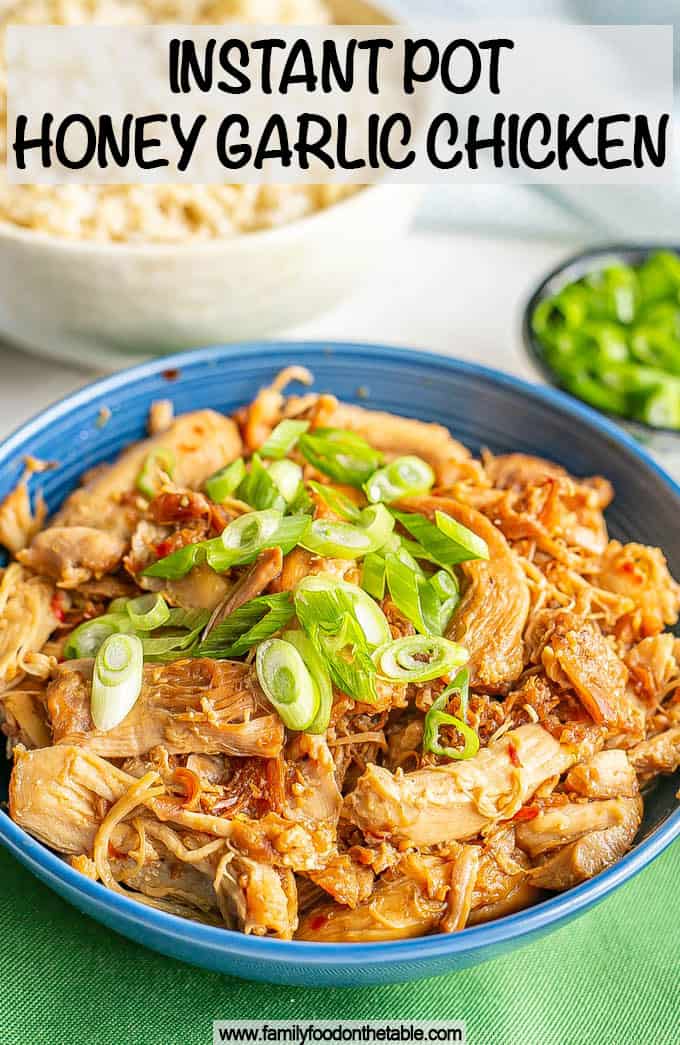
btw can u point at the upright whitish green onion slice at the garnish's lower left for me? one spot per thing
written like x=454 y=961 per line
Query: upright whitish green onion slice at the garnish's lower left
x=116 y=681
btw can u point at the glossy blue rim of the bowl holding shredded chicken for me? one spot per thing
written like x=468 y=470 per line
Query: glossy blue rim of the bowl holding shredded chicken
x=533 y=920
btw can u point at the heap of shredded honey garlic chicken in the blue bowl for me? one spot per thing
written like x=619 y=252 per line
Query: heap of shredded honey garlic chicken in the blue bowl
x=379 y=825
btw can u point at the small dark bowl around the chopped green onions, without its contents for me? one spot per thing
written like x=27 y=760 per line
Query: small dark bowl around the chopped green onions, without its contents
x=664 y=442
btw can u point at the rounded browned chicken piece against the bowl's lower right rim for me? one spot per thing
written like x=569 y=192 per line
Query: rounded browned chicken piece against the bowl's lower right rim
x=591 y=854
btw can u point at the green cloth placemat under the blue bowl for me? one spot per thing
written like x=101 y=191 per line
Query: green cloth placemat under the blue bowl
x=609 y=979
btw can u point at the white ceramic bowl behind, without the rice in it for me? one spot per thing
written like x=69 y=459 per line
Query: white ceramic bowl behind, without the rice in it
x=108 y=305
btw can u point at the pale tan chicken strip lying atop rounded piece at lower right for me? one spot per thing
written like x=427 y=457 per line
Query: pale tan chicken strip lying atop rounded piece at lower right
x=556 y=827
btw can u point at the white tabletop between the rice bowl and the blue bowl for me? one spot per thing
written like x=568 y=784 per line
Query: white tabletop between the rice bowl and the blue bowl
x=458 y=294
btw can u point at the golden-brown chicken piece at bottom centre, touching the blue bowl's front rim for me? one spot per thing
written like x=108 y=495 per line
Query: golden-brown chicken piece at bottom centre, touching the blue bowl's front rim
x=396 y=911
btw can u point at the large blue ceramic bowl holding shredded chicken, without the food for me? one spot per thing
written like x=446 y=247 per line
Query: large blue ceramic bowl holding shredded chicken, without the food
x=482 y=408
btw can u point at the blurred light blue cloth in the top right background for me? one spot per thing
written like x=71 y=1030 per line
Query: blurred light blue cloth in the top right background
x=561 y=212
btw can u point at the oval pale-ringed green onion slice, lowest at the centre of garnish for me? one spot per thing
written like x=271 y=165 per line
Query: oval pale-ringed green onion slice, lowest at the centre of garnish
x=288 y=684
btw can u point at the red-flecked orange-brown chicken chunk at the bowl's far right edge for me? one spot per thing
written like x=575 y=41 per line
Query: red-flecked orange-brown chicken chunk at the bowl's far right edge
x=642 y=574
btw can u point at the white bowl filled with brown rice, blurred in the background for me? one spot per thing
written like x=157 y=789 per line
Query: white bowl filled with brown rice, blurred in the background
x=103 y=275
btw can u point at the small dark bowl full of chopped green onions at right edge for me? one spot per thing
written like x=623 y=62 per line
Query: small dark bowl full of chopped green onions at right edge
x=605 y=327
